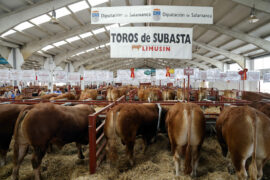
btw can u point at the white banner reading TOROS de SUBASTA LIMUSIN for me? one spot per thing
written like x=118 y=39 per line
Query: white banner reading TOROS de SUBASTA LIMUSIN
x=151 y=42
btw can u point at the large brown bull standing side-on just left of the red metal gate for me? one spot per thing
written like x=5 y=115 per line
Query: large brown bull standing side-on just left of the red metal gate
x=46 y=123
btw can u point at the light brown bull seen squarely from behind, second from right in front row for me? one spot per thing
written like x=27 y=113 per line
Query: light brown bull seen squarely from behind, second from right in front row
x=186 y=124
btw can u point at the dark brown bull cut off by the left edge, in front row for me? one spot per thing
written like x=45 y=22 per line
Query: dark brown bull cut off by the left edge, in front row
x=8 y=116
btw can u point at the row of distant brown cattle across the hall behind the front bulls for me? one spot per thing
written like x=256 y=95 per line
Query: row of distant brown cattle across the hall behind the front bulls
x=144 y=93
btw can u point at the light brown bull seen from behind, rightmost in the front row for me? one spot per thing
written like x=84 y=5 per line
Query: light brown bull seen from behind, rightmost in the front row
x=245 y=132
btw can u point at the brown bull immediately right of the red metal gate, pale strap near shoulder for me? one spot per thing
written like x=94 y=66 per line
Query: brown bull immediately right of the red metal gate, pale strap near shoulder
x=128 y=120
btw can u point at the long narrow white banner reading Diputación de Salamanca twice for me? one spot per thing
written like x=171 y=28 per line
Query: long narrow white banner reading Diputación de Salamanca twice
x=154 y=14
